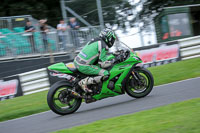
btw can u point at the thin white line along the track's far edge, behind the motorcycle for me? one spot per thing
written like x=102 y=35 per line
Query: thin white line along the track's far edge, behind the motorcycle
x=49 y=110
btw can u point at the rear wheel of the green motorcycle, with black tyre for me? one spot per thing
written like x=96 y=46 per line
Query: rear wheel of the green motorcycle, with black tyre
x=60 y=101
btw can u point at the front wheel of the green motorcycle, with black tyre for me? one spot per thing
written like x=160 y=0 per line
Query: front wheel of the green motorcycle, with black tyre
x=139 y=83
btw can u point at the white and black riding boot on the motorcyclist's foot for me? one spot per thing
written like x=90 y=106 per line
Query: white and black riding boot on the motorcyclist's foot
x=88 y=81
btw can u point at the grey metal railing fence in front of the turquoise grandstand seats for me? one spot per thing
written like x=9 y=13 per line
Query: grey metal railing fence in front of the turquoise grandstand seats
x=17 y=42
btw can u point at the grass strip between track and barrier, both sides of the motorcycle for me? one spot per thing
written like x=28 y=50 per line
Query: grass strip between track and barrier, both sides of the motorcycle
x=36 y=103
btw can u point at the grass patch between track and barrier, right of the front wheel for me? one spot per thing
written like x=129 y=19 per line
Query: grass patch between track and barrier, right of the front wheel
x=176 y=71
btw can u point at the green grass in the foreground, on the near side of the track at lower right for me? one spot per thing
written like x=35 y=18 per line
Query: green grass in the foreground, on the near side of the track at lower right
x=183 y=117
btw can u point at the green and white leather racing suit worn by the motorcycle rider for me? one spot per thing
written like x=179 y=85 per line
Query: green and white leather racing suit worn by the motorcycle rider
x=92 y=58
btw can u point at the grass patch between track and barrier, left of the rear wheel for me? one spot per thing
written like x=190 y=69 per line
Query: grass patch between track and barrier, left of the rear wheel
x=23 y=106
